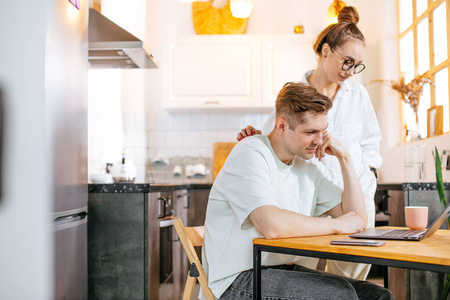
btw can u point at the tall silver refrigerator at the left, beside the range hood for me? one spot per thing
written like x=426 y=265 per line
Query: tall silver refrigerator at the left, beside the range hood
x=66 y=74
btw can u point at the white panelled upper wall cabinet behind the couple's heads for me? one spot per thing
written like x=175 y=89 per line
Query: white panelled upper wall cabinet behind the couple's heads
x=234 y=72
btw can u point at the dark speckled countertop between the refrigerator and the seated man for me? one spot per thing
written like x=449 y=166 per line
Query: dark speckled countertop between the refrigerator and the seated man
x=142 y=187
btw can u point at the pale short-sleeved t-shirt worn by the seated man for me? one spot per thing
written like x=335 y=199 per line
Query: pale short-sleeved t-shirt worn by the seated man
x=251 y=177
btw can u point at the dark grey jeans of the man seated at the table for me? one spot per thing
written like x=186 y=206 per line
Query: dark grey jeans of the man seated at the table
x=292 y=282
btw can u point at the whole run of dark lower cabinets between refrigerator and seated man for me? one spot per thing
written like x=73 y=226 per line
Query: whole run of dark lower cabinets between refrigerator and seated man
x=133 y=254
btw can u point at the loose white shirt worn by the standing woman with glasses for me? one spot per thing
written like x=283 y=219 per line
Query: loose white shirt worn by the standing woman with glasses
x=353 y=122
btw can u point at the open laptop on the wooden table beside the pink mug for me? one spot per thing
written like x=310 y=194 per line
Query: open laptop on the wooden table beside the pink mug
x=404 y=234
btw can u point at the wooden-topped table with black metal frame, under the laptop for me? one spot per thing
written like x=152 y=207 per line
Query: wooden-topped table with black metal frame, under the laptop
x=431 y=254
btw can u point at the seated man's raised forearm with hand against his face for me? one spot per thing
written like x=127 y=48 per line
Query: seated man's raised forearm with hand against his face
x=352 y=196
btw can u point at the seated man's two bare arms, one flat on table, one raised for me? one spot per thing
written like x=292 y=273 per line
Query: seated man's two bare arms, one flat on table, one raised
x=348 y=217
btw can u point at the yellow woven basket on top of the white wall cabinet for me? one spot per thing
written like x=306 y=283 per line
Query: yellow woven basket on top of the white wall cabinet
x=210 y=20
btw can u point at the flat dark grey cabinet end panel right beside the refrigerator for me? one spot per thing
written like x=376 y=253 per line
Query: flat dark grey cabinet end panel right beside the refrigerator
x=117 y=246
